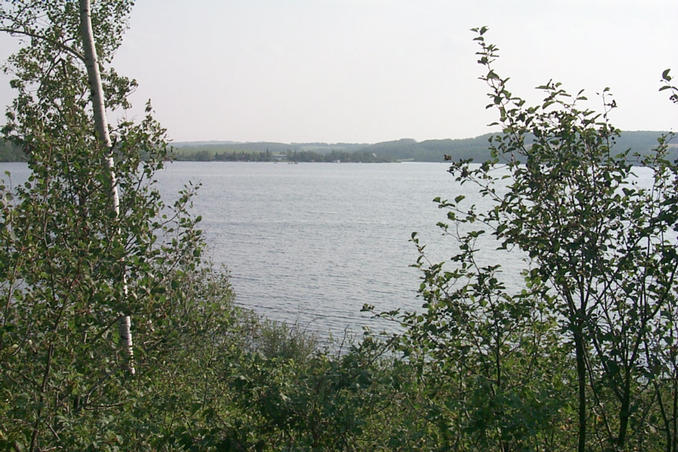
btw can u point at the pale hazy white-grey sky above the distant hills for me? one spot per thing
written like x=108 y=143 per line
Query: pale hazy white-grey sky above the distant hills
x=376 y=70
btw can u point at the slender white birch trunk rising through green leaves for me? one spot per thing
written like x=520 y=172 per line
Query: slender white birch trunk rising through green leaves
x=101 y=125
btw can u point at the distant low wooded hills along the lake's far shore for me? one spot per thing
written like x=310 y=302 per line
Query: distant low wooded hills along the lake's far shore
x=388 y=151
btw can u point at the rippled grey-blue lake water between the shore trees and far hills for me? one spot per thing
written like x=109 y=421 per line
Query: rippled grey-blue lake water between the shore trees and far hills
x=310 y=243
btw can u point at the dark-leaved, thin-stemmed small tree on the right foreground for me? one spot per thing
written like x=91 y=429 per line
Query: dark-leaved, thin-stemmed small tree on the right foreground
x=582 y=354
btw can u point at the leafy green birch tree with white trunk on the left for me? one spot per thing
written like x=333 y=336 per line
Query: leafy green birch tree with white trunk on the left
x=86 y=243
